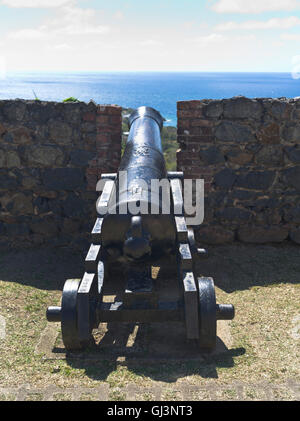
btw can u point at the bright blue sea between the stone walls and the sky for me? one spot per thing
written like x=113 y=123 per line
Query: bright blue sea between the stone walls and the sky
x=160 y=90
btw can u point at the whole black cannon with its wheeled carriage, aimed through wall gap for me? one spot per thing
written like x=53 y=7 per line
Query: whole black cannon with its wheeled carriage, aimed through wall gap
x=134 y=232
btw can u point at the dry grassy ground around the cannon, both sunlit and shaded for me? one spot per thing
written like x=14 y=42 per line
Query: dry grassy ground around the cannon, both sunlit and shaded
x=260 y=354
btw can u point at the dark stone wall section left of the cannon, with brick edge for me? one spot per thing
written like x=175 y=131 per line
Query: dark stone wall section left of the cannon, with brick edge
x=51 y=155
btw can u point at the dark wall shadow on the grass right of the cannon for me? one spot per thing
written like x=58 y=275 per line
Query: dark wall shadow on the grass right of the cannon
x=240 y=266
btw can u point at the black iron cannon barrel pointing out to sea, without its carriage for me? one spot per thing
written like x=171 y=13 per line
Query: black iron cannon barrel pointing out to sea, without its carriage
x=131 y=229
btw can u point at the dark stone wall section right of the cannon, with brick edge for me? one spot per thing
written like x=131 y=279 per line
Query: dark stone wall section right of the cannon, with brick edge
x=248 y=152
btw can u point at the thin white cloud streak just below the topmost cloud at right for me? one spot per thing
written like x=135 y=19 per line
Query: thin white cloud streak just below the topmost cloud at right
x=274 y=23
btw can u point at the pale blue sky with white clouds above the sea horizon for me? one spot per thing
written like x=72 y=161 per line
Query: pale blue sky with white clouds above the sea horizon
x=156 y=35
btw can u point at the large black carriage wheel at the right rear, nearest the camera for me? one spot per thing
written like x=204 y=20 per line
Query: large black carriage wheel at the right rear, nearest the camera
x=207 y=313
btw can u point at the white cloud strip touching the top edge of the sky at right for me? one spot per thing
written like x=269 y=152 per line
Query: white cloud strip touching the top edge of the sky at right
x=254 y=6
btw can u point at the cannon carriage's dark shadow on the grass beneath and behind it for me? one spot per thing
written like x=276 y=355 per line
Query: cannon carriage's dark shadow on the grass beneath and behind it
x=149 y=358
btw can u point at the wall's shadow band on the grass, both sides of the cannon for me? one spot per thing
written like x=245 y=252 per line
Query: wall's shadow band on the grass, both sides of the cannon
x=233 y=267
